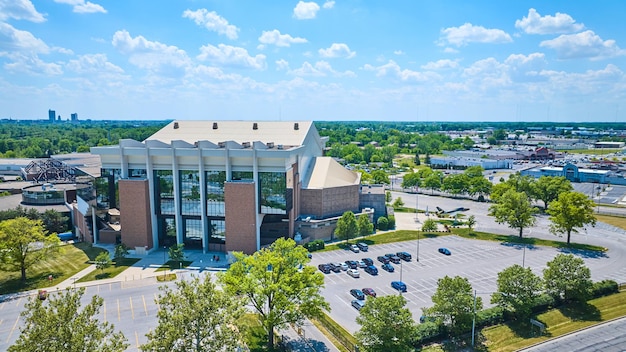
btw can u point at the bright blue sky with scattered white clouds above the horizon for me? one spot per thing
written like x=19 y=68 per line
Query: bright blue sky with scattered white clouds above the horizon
x=403 y=60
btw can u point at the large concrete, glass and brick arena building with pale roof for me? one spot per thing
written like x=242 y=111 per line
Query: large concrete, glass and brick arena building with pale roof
x=218 y=186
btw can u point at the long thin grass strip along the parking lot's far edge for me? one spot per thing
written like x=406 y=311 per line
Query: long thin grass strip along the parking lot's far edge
x=408 y=235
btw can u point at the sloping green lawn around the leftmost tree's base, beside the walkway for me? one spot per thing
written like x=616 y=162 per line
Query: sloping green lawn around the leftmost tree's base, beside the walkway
x=72 y=259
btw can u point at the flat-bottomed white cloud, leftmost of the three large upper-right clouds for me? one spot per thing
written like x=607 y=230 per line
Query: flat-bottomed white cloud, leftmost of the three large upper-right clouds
x=468 y=33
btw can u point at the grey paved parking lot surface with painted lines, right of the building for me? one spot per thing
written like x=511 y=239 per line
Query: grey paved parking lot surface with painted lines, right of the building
x=479 y=261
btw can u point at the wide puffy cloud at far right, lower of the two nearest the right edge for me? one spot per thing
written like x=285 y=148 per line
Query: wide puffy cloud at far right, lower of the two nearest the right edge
x=586 y=44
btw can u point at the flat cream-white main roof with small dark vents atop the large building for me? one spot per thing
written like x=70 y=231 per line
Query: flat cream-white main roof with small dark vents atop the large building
x=278 y=132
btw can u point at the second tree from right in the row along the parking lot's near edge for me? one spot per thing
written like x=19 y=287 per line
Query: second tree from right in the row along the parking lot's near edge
x=518 y=288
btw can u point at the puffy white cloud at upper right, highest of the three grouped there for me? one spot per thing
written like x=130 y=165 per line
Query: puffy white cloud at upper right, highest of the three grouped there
x=559 y=23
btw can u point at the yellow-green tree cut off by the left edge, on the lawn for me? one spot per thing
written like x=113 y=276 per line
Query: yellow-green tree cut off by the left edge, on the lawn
x=23 y=242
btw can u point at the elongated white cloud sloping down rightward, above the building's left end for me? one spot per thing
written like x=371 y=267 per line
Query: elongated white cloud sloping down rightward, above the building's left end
x=149 y=54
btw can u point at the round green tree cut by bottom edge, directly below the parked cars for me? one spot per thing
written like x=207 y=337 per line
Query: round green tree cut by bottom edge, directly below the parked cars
x=386 y=325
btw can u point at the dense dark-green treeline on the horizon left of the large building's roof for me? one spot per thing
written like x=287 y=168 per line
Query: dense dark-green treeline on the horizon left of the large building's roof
x=37 y=139
